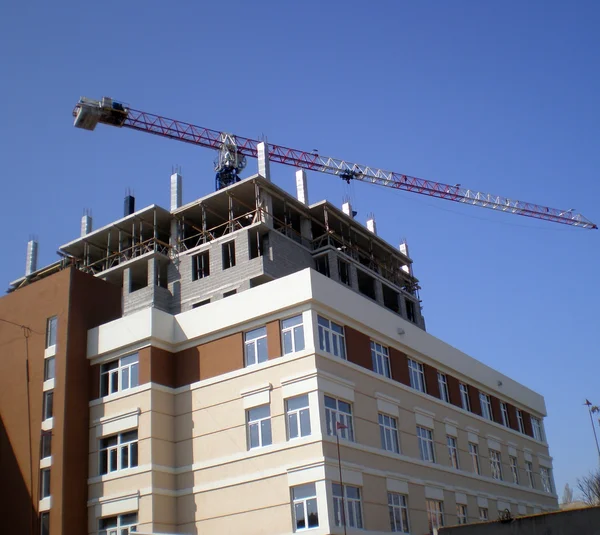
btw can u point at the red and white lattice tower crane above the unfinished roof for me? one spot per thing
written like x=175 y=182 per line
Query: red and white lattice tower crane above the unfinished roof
x=233 y=150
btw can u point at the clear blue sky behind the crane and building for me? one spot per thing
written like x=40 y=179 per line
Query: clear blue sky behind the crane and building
x=498 y=96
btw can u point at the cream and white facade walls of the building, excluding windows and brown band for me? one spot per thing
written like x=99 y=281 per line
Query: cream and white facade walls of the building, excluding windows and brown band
x=196 y=473
